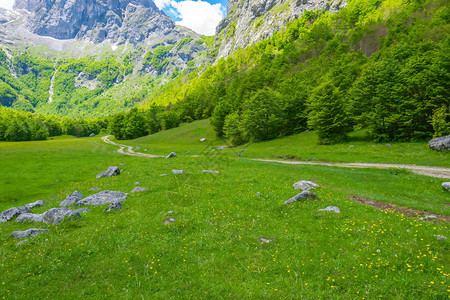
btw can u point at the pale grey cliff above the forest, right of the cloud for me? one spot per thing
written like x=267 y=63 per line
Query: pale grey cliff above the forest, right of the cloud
x=250 y=21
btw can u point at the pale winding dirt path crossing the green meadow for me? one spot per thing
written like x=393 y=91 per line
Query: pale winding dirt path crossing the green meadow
x=438 y=172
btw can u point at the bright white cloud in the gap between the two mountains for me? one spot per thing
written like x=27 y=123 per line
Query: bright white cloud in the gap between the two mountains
x=200 y=16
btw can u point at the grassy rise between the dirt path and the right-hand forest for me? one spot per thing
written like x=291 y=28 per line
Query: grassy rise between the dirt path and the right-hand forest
x=302 y=146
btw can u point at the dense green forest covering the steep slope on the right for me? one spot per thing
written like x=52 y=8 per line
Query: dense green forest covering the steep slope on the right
x=374 y=65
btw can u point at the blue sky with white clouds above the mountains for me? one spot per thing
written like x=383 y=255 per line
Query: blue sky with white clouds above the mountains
x=202 y=16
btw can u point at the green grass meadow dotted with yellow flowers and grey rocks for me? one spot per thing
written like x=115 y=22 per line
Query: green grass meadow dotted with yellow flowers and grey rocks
x=213 y=250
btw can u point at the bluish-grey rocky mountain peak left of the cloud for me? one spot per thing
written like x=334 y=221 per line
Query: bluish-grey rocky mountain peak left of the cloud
x=96 y=20
